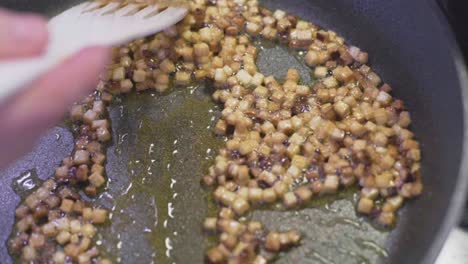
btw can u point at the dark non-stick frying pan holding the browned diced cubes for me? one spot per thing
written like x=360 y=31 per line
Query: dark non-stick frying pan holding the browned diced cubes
x=410 y=46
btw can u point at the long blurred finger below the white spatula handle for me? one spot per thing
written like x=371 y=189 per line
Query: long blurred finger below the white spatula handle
x=35 y=110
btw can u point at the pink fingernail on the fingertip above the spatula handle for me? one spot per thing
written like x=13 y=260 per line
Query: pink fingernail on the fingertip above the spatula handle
x=29 y=28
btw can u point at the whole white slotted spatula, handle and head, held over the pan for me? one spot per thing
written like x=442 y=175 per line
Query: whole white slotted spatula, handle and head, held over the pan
x=87 y=24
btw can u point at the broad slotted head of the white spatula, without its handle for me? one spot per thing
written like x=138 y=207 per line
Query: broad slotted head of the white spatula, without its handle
x=112 y=22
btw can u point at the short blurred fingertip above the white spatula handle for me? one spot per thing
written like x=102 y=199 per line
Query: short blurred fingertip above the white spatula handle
x=22 y=35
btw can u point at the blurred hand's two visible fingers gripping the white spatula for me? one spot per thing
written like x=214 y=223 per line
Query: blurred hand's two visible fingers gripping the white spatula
x=24 y=117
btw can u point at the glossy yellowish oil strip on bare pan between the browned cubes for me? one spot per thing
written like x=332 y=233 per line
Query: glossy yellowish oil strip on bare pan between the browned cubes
x=164 y=143
